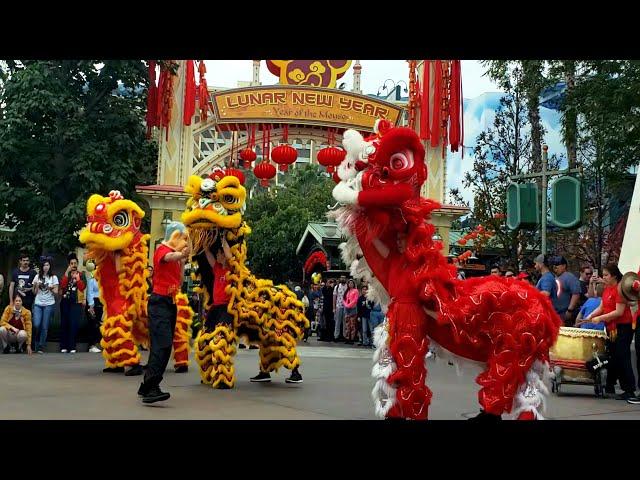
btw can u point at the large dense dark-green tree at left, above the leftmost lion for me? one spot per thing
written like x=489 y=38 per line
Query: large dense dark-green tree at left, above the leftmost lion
x=68 y=128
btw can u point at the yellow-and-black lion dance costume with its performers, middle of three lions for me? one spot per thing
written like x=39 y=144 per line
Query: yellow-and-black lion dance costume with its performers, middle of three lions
x=266 y=315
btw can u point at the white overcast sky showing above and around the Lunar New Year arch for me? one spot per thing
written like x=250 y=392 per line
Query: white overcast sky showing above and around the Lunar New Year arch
x=226 y=73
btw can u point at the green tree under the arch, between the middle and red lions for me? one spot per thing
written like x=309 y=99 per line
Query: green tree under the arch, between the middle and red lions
x=278 y=217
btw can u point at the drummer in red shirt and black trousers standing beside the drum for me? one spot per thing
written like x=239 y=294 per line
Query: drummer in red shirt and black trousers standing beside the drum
x=615 y=311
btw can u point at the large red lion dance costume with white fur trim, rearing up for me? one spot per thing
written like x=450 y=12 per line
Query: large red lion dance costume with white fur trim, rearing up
x=504 y=324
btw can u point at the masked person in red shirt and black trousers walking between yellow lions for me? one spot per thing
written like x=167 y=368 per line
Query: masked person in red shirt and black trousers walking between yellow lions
x=168 y=268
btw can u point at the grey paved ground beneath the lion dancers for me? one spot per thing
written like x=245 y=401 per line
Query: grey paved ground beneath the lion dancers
x=336 y=385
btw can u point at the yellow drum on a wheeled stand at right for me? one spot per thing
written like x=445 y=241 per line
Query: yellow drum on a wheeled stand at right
x=574 y=347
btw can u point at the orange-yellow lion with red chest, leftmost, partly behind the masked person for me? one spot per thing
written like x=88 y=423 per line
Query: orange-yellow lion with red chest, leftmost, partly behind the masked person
x=120 y=252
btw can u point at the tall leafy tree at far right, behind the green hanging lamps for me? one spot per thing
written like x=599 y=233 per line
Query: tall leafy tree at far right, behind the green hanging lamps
x=600 y=128
